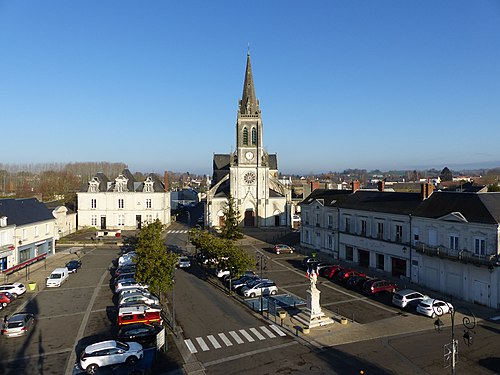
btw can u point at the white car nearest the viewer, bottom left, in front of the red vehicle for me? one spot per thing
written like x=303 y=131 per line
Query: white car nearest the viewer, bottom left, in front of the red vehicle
x=109 y=353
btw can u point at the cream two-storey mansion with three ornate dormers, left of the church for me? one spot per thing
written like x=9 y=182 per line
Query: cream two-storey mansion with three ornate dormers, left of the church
x=123 y=203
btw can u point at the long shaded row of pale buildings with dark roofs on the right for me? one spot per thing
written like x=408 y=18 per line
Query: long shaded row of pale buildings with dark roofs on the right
x=445 y=240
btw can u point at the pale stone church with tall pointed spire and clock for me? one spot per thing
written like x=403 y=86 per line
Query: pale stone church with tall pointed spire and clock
x=249 y=174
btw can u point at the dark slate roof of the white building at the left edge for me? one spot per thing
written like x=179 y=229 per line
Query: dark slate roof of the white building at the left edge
x=24 y=211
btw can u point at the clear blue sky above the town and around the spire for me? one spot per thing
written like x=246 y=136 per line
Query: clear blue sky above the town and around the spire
x=342 y=84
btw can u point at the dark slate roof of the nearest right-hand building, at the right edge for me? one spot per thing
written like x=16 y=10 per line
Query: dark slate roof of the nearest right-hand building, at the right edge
x=475 y=207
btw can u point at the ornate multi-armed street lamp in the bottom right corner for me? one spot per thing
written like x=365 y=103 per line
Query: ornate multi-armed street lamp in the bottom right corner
x=469 y=323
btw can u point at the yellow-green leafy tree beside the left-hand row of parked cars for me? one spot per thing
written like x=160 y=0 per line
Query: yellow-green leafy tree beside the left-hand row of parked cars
x=155 y=266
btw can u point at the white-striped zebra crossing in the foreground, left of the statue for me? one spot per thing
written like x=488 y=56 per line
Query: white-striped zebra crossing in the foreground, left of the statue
x=241 y=337
